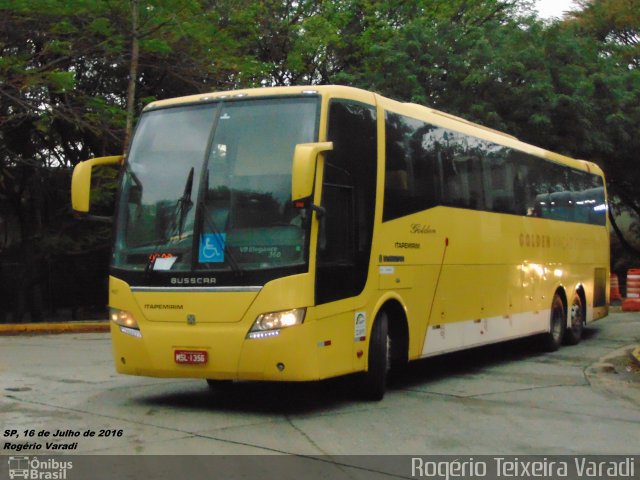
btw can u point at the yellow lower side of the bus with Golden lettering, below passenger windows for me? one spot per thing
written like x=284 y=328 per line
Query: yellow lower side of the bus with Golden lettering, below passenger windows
x=498 y=276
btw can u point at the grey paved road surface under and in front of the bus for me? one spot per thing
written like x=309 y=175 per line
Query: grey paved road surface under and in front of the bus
x=507 y=399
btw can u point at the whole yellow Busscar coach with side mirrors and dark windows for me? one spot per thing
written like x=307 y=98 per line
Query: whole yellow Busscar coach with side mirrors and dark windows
x=303 y=233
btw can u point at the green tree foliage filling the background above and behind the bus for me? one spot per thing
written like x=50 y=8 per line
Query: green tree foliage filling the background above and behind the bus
x=572 y=85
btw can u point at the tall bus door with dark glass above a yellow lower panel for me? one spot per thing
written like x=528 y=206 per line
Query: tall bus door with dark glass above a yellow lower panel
x=345 y=232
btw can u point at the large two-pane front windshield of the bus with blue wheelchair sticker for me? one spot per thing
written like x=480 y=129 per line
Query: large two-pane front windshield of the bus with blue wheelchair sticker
x=208 y=187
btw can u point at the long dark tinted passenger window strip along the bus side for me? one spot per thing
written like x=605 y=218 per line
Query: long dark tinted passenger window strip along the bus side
x=428 y=166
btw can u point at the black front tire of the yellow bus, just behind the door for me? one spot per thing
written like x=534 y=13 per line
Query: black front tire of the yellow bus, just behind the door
x=374 y=380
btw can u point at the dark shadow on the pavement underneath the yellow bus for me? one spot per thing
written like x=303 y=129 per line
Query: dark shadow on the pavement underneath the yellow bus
x=315 y=397
